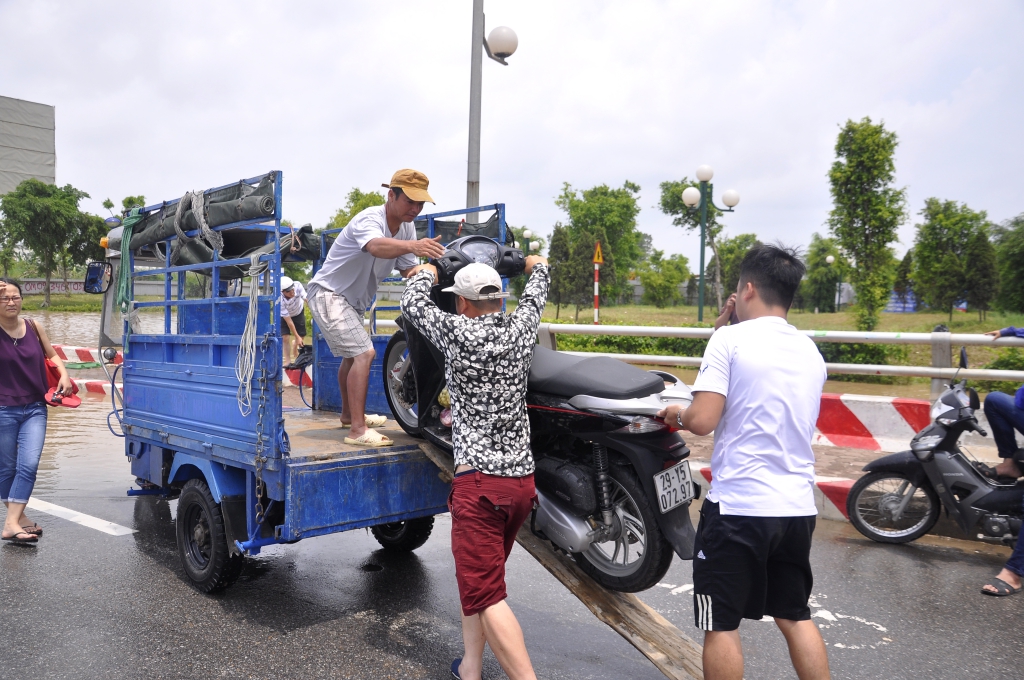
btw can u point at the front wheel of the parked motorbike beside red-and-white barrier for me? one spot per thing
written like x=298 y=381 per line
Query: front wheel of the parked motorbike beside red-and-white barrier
x=887 y=508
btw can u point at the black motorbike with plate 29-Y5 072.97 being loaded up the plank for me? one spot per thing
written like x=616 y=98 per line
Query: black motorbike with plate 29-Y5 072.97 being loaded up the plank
x=614 y=485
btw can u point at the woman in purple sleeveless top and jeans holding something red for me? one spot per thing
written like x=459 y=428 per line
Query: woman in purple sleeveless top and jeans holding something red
x=23 y=410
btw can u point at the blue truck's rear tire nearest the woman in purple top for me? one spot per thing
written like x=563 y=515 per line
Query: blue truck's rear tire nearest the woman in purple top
x=202 y=541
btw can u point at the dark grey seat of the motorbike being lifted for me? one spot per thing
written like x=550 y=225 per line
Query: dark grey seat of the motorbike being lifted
x=568 y=375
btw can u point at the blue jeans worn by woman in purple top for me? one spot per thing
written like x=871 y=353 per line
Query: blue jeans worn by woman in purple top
x=23 y=431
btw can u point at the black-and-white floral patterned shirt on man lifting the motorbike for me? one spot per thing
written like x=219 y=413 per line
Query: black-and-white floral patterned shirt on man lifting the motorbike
x=487 y=364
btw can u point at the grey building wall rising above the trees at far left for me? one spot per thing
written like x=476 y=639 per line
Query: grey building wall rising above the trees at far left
x=28 y=145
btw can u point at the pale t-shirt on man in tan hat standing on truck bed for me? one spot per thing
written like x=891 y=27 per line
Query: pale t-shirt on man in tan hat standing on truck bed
x=353 y=273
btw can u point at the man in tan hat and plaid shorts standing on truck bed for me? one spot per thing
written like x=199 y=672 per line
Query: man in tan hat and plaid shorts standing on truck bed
x=375 y=242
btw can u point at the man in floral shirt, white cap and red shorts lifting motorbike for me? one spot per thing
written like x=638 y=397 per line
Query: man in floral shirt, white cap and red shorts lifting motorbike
x=488 y=357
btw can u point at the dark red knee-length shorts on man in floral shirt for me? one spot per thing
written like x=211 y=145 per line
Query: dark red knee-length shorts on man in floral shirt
x=487 y=514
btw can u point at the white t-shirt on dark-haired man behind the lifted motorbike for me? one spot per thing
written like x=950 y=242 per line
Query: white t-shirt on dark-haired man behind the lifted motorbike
x=772 y=376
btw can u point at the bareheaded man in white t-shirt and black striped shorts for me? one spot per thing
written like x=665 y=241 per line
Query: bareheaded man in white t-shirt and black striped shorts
x=759 y=390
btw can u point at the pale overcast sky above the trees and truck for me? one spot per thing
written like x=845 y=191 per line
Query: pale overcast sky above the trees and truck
x=158 y=99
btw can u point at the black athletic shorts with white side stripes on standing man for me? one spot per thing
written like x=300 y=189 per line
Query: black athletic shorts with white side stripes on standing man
x=746 y=568
